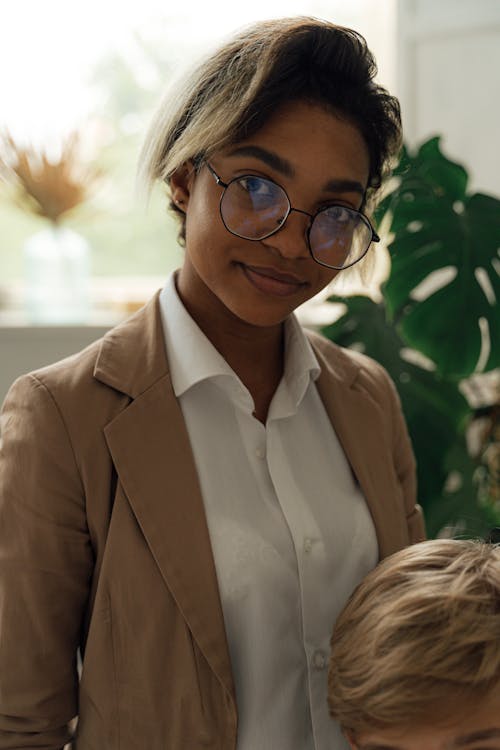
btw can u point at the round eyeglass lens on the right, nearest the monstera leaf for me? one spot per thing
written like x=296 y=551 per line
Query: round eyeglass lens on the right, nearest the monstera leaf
x=339 y=236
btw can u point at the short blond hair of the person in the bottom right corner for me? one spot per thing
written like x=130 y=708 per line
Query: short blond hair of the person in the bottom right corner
x=419 y=639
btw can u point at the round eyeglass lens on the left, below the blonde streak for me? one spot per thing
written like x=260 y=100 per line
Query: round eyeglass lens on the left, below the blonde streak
x=253 y=207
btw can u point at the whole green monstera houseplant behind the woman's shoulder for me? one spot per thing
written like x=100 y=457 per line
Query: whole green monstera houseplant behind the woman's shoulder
x=437 y=327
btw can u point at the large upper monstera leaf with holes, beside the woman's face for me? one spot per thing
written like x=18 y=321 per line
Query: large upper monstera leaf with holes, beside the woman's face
x=444 y=236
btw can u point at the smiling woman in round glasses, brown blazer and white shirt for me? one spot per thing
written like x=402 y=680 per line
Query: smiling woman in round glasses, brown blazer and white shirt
x=190 y=501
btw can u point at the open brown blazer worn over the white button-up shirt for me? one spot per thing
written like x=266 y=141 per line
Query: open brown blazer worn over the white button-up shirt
x=104 y=544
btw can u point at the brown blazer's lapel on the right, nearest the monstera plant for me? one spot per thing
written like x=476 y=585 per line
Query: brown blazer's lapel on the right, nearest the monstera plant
x=358 y=421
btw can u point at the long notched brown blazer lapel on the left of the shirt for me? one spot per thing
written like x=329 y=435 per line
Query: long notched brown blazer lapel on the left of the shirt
x=151 y=451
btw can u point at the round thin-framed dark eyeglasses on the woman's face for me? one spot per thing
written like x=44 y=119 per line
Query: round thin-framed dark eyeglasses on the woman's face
x=254 y=208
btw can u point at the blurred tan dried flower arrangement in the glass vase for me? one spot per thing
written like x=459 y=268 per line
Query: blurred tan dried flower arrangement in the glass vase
x=47 y=186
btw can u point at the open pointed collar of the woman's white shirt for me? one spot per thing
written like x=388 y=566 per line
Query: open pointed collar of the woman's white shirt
x=193 y=358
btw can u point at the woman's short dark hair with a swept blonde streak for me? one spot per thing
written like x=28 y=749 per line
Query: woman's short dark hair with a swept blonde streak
x=233 y=93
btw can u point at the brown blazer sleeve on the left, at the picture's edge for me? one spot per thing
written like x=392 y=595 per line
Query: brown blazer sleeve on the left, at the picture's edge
x=45 y=570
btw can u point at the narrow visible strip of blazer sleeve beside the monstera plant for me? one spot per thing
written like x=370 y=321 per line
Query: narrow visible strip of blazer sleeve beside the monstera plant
x=404 y=463
